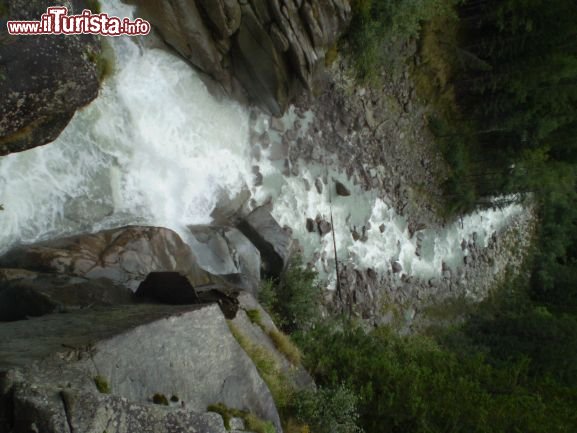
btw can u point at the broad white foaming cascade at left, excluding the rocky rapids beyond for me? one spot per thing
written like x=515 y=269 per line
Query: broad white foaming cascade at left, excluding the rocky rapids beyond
x=154 y=148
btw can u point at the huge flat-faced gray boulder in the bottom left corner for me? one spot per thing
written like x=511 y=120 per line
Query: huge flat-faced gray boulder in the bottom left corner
x=48 y=366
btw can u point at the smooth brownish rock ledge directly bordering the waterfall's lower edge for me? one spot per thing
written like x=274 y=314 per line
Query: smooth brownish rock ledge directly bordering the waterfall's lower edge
x=125 y=256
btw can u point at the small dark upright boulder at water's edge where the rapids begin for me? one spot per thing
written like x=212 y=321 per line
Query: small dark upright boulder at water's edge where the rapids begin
x=272 y=241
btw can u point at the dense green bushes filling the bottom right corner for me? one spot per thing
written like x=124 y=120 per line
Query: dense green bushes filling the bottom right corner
x=414 y=385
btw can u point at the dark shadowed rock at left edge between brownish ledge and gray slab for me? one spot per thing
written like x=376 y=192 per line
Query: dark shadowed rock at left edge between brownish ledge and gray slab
x=36 y=294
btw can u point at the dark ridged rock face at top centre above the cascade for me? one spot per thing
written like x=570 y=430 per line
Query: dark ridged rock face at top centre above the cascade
x=269 y=47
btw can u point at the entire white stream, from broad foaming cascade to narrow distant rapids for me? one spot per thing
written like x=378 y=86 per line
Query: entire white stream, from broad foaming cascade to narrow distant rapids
x=156 y=148
